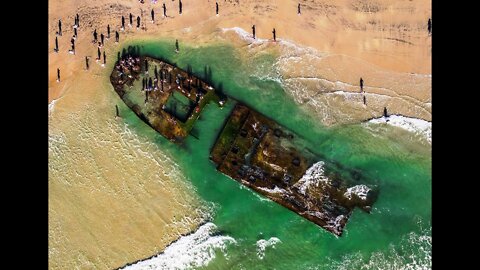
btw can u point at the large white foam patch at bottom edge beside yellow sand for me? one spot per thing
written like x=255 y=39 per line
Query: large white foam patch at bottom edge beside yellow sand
x=191 y=251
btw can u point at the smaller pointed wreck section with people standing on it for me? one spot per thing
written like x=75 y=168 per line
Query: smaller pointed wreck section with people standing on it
x=165 y=97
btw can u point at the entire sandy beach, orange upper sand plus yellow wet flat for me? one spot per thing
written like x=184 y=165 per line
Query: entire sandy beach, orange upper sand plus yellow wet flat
x=96 y=186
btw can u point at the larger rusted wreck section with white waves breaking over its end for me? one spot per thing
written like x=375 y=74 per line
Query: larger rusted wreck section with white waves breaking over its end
x=265 y=157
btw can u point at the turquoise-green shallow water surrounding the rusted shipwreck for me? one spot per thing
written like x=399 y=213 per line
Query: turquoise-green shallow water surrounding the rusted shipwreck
x=396 y=235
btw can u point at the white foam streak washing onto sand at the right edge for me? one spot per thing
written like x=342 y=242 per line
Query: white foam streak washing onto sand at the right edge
x=418 y=126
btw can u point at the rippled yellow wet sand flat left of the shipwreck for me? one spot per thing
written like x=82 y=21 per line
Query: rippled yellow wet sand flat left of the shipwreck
x=114 y=196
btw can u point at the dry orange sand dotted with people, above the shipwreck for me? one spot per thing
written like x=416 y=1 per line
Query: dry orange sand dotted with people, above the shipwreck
x=361 y=37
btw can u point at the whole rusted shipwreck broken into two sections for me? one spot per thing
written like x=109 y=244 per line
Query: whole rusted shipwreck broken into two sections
x=251 y=148
